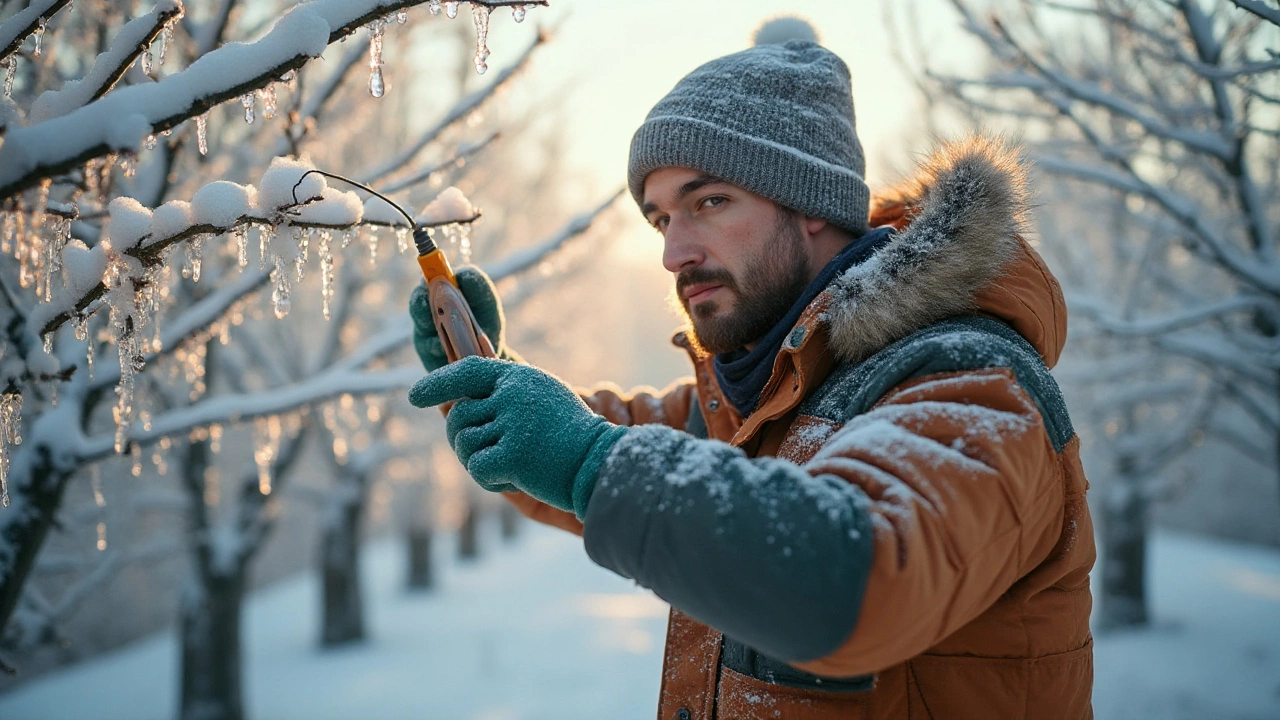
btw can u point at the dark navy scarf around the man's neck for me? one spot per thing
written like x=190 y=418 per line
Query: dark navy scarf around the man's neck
x=742 y=373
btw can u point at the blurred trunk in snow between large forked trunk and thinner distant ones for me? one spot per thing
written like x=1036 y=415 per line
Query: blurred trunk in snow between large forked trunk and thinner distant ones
x=344 y=617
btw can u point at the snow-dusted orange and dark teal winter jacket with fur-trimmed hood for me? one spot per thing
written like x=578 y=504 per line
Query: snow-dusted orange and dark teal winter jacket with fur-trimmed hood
x=920 y=382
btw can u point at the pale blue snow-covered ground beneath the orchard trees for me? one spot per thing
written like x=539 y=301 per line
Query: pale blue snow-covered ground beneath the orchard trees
x=537 y=632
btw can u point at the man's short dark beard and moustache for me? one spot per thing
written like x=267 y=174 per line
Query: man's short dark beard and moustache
x=771 y=284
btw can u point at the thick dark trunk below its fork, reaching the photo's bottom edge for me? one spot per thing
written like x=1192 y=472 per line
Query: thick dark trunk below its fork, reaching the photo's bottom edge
x=212 y=648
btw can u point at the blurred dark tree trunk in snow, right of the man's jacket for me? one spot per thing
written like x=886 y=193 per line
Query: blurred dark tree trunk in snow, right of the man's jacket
x=1124 y=555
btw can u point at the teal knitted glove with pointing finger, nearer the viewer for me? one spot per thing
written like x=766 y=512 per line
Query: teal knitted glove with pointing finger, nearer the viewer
x=518 y=426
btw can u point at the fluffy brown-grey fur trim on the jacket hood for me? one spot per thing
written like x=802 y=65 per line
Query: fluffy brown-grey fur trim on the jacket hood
x=963 y=211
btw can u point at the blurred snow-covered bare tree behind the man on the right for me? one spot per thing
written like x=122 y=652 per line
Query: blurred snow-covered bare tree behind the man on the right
x=1158 y=121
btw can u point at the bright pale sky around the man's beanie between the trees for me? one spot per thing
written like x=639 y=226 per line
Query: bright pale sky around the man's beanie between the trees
x=618 y=58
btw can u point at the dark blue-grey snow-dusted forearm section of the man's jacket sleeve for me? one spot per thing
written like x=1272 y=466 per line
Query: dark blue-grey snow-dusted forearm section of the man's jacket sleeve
x=758 y=549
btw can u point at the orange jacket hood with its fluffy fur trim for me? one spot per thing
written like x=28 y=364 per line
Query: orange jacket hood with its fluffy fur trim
x=961 y=249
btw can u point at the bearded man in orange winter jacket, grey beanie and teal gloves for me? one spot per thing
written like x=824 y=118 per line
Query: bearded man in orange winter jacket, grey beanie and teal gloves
x=870 y=500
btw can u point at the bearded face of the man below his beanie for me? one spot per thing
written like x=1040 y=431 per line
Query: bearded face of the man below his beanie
x=740 y=261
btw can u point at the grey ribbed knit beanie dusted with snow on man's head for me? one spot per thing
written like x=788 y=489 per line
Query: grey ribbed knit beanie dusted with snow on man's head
x=775 y=120
